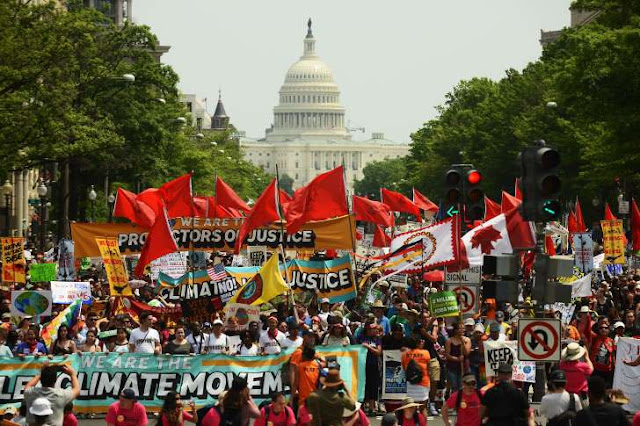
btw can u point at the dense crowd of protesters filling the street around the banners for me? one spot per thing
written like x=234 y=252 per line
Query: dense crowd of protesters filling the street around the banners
x=444 y=358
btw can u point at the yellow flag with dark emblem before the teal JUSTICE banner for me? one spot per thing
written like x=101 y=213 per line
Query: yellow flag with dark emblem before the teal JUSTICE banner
x=264 y=286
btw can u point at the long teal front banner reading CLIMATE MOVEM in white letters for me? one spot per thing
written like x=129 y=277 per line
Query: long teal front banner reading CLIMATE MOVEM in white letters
x=202 y=378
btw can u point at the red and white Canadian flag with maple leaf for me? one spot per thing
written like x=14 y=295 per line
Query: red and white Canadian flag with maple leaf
x=499 y=235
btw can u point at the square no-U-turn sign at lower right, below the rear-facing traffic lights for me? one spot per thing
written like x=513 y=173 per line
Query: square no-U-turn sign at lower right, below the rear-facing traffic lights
x=539 y=339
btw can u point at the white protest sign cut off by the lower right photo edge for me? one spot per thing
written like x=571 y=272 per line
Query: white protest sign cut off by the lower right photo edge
x=626 y=377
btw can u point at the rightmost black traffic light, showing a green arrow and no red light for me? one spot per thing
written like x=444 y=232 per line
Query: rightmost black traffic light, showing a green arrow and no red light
x=540 y=183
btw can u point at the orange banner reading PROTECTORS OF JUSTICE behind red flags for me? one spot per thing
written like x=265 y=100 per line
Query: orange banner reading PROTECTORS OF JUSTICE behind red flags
x=215 y=234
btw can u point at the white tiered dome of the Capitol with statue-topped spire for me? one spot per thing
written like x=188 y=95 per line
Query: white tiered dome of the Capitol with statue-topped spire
x=309 y=101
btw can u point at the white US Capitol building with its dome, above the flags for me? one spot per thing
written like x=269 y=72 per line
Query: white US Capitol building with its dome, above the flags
x=308 y=135
